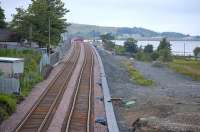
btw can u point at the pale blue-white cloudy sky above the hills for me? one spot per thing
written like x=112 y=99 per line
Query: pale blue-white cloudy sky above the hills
x=158 y=15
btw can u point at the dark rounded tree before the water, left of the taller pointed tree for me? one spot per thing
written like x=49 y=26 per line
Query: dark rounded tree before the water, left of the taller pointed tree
x=130 y=45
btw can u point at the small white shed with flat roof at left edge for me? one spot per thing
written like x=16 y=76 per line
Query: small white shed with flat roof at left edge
x=11 y=66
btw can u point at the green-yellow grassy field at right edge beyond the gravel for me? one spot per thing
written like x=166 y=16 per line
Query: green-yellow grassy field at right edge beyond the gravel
x=187 y=67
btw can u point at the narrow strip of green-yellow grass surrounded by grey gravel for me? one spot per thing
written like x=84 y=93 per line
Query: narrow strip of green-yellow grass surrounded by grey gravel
x=136 y=76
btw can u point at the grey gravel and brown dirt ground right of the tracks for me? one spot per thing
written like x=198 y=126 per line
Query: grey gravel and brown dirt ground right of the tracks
x=172 y=104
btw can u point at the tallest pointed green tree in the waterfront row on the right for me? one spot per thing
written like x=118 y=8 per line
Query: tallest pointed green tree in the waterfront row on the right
x=164 y=50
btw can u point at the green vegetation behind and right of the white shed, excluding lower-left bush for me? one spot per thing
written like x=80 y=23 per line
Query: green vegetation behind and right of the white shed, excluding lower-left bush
x=31 y=74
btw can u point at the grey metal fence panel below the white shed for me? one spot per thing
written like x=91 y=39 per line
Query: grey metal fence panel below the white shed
x=9 y=85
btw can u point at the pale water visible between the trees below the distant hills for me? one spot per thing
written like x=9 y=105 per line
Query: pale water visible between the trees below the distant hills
x=178 y=47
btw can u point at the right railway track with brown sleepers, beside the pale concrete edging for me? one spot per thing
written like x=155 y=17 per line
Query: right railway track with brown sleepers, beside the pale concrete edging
x=80 y=115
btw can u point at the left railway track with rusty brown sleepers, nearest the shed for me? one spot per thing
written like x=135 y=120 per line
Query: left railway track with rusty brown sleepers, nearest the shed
x=41 y=114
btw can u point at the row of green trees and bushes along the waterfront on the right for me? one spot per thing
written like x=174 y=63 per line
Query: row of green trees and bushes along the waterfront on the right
x=147 y=53
